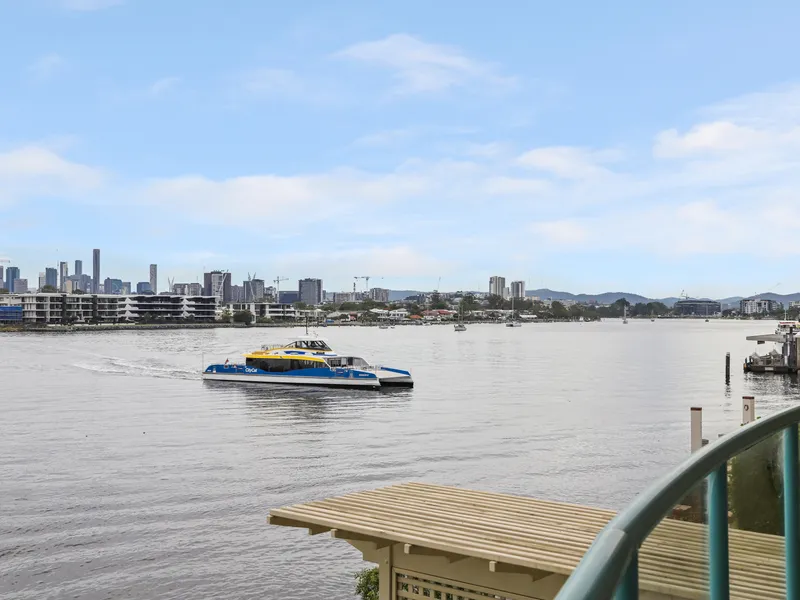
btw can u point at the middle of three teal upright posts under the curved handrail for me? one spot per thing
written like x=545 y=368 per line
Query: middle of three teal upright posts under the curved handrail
x=718 y=563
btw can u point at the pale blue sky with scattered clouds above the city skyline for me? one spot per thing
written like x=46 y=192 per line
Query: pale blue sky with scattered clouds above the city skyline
x=582 y=146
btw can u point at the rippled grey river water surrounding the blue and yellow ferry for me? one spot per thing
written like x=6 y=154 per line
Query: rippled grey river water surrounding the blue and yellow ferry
x=123 y=475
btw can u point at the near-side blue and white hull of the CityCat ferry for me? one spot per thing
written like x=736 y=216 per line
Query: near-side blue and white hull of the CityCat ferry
x=342 y=378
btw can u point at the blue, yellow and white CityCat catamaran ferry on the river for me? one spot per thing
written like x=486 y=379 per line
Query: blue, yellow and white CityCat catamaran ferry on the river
x=308 y=361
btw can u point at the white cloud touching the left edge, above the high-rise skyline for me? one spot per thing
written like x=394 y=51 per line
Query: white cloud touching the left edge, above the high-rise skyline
x=35 y=171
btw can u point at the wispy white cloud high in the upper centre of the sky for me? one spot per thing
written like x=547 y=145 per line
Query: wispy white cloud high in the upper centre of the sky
x=420 y=67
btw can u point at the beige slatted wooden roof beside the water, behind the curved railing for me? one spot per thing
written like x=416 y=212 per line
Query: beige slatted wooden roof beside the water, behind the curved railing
x=518 y=533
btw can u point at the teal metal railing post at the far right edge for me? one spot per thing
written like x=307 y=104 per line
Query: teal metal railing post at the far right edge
x=791 y=511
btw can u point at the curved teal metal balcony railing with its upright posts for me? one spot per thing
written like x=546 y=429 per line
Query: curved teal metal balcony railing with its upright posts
x=610 y=566
